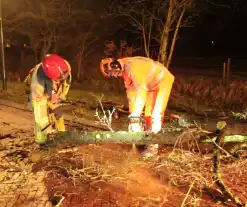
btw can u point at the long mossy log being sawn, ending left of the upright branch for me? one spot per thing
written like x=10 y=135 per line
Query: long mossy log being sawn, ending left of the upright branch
x=123 y=137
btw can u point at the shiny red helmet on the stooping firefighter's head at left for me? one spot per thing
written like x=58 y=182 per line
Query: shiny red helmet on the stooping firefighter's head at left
x=55 y=67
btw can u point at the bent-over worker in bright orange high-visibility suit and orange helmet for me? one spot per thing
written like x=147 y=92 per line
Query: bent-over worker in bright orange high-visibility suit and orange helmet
x=148 y=84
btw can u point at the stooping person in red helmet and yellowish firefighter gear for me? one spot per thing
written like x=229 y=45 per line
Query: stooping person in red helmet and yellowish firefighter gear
x=49 y=83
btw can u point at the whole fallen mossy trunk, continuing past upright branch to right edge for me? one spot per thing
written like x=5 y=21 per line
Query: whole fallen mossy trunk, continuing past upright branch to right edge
x=143 y=138
